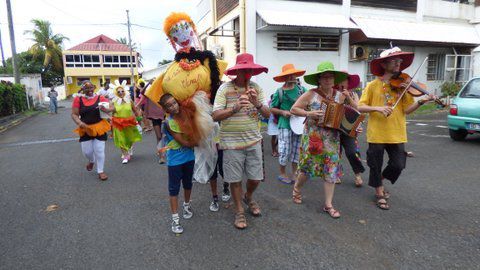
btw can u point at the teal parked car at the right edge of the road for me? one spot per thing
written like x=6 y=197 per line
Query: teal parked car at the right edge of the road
x=464 y=116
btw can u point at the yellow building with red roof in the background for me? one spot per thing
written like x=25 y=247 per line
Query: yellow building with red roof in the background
x=100 y=59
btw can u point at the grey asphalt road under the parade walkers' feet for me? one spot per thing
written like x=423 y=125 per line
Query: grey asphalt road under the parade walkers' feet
x=124 y=223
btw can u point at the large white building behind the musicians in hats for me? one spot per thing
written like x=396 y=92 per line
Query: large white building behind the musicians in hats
x=348 y=33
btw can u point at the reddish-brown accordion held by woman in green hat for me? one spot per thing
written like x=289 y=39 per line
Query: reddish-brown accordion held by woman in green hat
x=341 y=117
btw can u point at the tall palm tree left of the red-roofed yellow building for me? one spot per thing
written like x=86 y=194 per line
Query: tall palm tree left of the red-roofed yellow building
x=47 y=44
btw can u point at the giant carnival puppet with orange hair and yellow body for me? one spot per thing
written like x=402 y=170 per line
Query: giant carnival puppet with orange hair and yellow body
x=193 y=78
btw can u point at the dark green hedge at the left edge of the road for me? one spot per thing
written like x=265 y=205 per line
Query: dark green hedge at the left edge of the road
x=12 y=98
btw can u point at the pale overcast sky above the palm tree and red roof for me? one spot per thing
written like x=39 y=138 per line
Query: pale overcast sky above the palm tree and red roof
x=85 y=19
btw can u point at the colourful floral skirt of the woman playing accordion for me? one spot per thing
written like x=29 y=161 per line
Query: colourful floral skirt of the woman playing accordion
x=320 y=154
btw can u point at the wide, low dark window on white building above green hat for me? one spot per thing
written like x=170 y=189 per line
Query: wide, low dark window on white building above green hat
x=303 y=42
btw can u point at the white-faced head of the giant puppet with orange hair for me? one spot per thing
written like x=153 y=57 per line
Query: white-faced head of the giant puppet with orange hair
x=181 y=32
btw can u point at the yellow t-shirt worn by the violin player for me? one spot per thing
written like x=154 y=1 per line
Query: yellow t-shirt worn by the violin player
x=381 y=129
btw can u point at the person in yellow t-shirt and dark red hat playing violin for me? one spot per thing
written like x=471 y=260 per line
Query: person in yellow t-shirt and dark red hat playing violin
x=387 y=129
